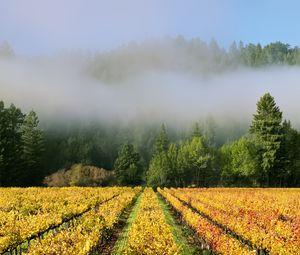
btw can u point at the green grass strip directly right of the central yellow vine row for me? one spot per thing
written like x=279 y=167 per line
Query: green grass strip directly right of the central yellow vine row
x=180 y=233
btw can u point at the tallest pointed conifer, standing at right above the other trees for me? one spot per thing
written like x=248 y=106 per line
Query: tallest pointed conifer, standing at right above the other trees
x=267 y=130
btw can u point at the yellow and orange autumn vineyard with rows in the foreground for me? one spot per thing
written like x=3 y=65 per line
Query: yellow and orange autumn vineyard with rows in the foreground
x=123 y=220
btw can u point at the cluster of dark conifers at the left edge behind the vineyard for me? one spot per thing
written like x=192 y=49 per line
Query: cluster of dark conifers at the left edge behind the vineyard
x=21 y=147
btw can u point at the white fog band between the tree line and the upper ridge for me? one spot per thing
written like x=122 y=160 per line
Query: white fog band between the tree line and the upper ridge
x=61 y=89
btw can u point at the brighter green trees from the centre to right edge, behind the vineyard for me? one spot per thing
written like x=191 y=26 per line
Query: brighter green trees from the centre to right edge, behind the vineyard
x=268 y=156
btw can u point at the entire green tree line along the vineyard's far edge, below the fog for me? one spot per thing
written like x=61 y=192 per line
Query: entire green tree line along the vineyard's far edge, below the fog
x=268 y=155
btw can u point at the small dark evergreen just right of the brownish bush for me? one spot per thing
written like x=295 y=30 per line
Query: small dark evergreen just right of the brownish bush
x=127 y=166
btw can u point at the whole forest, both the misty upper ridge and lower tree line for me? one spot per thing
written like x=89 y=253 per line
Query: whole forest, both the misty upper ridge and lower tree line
x=202 y=152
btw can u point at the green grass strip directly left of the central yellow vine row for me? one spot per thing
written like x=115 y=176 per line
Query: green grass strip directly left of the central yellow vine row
x=122 y=240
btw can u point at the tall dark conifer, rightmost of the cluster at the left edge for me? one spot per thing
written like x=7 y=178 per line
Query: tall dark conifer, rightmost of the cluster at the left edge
x=33 y=148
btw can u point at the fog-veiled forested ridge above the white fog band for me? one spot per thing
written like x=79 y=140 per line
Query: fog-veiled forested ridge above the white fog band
x=192 y=56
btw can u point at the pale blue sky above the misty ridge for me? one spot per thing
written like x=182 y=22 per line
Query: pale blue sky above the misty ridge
x=38 y=27
